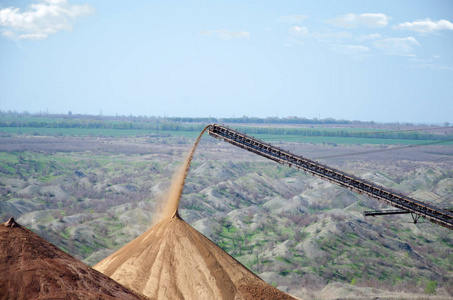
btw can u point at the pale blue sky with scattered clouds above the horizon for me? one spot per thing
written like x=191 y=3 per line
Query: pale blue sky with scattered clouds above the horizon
x=383 y=61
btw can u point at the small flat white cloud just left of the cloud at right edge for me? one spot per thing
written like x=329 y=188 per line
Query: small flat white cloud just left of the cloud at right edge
x=355 y=20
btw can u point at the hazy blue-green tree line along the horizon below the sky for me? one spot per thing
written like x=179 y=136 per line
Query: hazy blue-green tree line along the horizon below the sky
x=18 y=120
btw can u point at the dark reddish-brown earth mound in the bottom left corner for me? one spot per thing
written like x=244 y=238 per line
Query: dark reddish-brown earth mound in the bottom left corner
x=32 y=268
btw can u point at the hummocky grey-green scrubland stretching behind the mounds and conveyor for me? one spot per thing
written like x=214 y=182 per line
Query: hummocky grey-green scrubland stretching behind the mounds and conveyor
x=92 y=195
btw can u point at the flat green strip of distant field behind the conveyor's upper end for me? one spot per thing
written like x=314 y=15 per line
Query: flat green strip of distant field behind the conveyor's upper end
x=193 y=134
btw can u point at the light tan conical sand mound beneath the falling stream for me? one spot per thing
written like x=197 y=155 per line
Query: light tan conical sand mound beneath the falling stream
x=174 y=261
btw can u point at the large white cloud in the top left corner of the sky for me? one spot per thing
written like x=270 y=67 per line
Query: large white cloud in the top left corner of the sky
x=41 y=19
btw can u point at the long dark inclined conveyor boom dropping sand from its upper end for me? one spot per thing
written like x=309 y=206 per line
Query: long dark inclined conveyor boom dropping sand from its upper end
x=432 y=213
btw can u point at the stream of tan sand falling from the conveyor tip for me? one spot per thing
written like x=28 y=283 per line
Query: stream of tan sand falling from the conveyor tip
x=173 y=197
